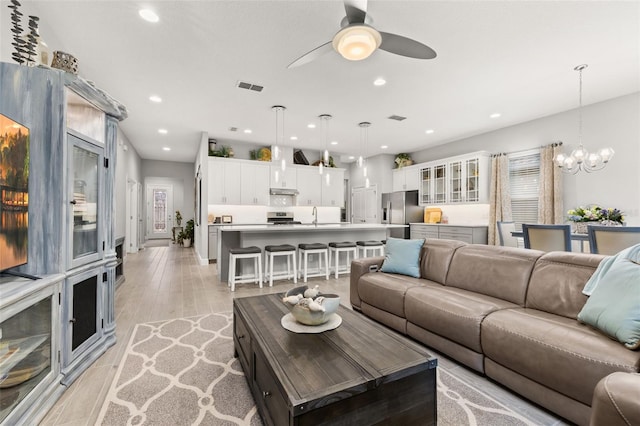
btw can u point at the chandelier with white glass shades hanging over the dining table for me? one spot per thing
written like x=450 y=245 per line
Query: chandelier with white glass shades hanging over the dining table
x=581 y=159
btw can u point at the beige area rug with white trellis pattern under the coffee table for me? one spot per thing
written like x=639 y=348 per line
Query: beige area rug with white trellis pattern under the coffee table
x=182 y=372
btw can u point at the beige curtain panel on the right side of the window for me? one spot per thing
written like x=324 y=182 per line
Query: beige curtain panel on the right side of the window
x=550 y=207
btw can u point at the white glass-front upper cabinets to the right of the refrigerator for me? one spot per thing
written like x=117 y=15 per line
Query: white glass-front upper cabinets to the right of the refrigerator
x=457 y=180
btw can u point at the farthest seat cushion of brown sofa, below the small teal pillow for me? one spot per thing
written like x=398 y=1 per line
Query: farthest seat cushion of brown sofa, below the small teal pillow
x=386 y=291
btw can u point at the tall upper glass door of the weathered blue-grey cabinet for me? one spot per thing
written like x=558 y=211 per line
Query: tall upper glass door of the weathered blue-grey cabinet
x=85 y=182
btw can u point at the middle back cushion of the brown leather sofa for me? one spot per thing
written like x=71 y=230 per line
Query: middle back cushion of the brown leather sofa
x=501 y=272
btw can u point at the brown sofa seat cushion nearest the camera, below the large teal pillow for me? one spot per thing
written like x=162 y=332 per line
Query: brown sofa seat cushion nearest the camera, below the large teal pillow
x=555 y=351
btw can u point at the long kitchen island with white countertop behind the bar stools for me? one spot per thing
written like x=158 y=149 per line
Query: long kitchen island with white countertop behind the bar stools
x=263 y=235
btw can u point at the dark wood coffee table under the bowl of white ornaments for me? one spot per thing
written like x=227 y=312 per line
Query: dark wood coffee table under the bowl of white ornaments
x=361 y=373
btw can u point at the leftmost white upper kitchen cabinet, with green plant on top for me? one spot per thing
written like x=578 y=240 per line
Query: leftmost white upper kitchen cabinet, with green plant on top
x=224 y=181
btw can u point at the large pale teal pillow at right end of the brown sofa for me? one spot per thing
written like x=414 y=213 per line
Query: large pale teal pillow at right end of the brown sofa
x=614 y=302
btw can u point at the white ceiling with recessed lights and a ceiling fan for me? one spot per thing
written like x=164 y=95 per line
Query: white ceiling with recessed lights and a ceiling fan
x=511 y=57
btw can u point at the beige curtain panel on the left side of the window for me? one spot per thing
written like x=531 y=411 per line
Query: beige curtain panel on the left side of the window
x=499 y=196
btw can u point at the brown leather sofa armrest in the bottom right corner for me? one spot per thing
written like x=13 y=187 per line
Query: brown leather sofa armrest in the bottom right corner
x=616 y=400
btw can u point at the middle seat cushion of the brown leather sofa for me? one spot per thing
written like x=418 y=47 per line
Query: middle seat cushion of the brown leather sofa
x=450 y=312
